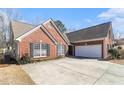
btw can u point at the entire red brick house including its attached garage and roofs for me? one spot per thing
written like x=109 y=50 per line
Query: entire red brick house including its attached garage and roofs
x=46 y=41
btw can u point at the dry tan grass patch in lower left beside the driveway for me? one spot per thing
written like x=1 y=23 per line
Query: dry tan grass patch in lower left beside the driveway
x=14 y=75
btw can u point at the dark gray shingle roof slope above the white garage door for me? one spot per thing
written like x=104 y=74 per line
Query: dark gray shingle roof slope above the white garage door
x=93 y=32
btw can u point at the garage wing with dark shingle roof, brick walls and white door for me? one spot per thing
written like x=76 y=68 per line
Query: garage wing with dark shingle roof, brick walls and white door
x=91 y=42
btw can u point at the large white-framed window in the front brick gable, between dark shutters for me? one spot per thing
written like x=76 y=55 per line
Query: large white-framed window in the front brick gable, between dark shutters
x=40 y=50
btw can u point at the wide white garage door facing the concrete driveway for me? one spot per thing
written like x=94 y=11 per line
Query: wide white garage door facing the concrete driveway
x=94 y=51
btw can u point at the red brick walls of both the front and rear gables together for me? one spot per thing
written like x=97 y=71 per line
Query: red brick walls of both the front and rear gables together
x=39 y=35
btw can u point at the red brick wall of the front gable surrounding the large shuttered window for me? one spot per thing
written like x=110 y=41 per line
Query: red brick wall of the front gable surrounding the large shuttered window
x=36 y=36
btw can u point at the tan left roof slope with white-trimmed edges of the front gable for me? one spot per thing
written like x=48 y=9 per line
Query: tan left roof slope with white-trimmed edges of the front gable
x=21 y=30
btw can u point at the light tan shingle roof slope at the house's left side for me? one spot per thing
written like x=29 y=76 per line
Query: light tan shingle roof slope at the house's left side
x=19 y=28
